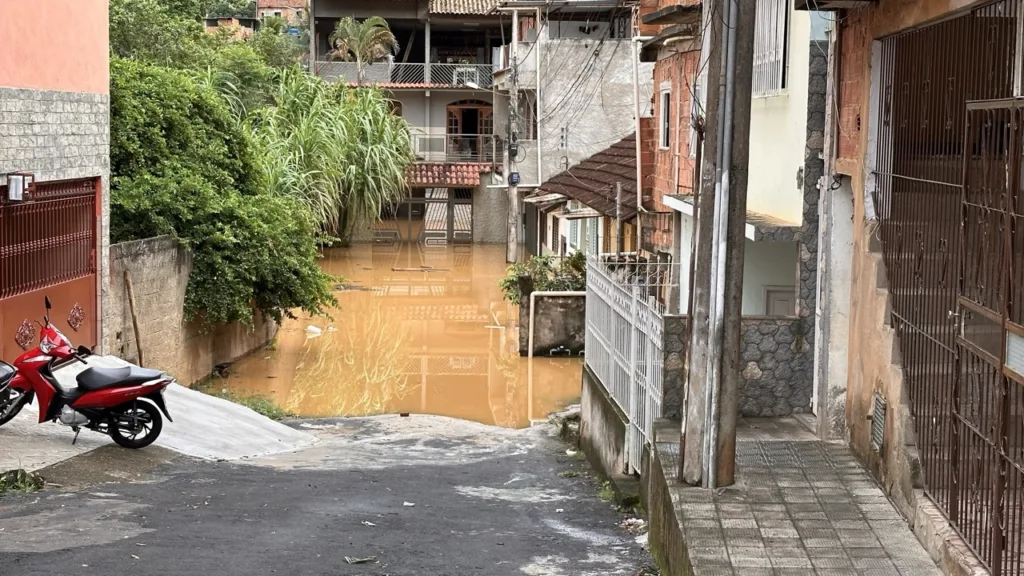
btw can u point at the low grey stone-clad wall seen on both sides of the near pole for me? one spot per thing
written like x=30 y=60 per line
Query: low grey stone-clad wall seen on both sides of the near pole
x=777 y=376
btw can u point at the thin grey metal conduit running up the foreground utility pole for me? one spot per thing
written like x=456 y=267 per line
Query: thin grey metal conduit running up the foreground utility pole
x=721 y=219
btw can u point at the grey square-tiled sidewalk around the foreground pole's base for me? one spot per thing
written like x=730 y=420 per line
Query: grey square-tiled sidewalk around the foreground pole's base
x=800 y=507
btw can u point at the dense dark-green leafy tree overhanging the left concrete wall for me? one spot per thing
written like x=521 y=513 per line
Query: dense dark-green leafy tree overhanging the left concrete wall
x=183 y=166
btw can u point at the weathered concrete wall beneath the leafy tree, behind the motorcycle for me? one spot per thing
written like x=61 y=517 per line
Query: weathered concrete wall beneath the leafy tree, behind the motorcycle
x=159 y=269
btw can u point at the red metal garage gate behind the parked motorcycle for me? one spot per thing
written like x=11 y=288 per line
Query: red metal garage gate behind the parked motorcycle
x=49 y=248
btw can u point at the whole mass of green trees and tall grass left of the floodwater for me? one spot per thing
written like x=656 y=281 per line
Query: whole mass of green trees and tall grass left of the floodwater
x=229 y=145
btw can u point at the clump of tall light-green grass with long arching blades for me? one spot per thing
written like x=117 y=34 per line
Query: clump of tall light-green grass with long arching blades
x=339 y=150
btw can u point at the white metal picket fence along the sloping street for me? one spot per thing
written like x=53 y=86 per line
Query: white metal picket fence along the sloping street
x=624 y=348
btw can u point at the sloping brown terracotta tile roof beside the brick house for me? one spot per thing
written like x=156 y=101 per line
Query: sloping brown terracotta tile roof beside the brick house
x=593 y=181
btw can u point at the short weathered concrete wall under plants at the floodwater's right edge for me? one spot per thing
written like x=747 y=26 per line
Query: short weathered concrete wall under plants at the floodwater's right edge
x=560 y=321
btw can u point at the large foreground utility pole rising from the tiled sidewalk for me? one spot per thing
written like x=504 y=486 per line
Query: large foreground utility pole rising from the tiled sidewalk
x=708 y=444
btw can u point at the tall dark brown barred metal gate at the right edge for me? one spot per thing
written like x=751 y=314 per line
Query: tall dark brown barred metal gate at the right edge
x=947 y=196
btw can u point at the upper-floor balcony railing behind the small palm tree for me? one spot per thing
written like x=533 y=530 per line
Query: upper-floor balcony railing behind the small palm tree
x=405 y=75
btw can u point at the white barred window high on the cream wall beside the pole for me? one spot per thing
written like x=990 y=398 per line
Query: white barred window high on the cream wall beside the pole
x=772 y=38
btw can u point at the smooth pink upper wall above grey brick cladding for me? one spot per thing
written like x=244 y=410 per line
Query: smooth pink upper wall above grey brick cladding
x=55 y=46
